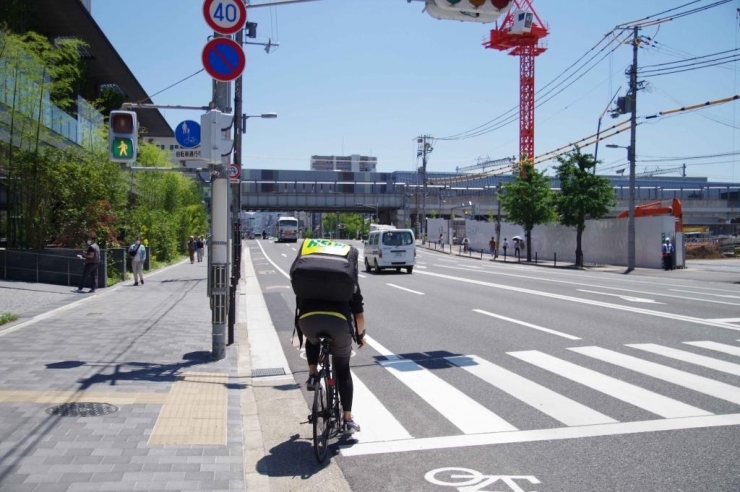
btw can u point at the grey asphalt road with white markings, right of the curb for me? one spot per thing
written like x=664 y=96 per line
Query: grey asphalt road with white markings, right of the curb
x=513 y=377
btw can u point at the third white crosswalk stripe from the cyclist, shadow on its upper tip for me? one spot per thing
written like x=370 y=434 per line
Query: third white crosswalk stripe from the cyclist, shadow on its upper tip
x=550 y=403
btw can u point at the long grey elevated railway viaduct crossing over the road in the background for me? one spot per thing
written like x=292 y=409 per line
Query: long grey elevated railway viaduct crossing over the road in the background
x=397 y=197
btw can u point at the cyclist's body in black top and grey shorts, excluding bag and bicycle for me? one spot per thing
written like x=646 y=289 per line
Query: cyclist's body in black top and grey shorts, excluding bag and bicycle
x=318 y=318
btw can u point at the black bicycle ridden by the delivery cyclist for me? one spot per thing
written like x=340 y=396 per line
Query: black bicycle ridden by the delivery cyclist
x=325 y=415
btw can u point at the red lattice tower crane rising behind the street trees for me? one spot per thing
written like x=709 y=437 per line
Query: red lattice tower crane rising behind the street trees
x=520 y=35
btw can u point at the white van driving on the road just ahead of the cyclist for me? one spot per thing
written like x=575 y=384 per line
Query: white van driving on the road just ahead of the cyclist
x=394 y=248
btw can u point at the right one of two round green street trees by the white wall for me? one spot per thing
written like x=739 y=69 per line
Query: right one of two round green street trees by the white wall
x=583 y=195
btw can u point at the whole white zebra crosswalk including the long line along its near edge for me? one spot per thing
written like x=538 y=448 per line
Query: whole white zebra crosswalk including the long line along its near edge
x=478 y=425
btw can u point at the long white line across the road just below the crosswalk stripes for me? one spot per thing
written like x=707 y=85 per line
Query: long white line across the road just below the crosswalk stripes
x=460 y=441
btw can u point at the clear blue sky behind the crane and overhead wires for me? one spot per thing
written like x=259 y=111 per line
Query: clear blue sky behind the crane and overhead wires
x=367 y=77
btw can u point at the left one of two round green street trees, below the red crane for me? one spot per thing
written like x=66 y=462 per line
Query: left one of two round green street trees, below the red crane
x=527 y=201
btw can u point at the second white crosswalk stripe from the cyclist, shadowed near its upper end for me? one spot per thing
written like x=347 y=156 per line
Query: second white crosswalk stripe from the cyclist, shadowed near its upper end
x=465 y=413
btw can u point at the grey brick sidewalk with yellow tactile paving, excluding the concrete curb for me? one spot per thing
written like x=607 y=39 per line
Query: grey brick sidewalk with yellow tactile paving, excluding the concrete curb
x=145 y=350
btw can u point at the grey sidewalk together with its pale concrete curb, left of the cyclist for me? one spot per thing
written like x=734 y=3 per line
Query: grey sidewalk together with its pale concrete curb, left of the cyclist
x=117 y=391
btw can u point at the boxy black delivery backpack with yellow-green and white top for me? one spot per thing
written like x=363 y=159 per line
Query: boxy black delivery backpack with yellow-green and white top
x=325 y=270
